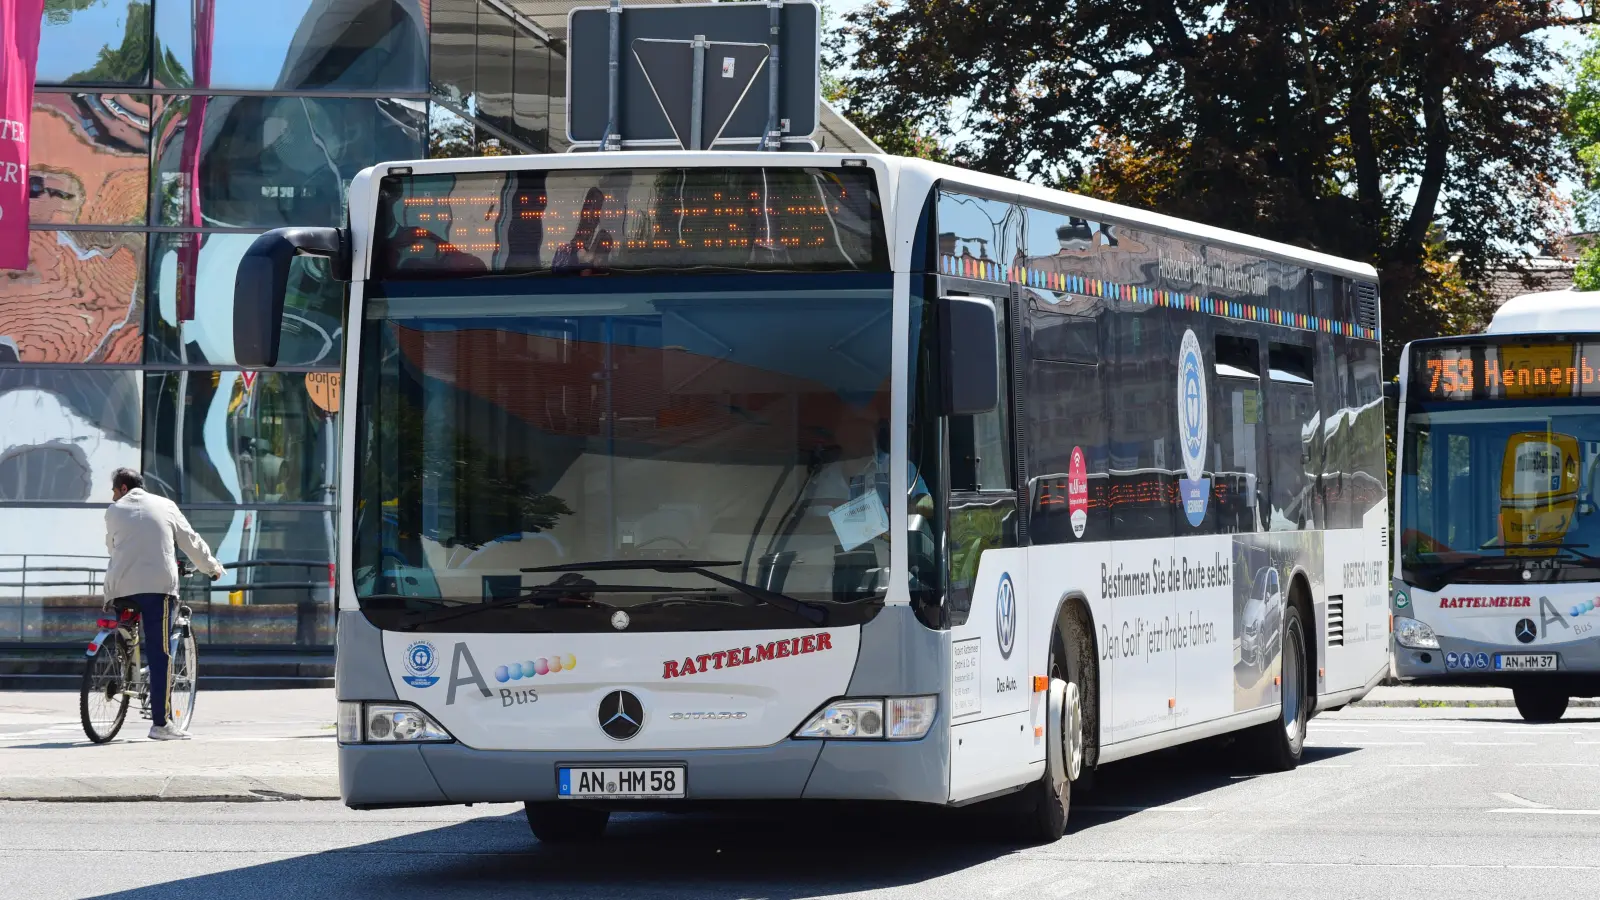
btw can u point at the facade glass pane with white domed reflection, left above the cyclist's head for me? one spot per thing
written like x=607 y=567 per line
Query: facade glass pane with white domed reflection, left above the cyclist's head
x=63 y=433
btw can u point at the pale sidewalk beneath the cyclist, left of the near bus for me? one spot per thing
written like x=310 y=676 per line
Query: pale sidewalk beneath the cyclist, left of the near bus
x=249 y=745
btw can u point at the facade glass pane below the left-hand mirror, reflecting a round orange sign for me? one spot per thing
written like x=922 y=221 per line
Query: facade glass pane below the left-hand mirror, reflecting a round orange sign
x=239 y=438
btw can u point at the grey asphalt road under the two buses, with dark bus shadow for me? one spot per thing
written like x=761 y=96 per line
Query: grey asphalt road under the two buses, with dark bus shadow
x=1391 y=803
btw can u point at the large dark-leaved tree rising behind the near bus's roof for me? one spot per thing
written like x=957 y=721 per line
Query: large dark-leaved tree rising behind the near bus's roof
x=1417 y=135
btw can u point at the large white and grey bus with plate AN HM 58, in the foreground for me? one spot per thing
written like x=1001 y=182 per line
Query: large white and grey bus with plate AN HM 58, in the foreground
x=690 y=478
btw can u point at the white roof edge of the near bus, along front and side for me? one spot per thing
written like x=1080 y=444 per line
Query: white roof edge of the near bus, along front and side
x=903 y=174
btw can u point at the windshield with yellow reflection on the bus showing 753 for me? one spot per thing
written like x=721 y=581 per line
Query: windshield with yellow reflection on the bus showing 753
x=1502 y=492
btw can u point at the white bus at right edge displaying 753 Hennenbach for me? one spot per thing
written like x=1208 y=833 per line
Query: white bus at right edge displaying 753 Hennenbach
x=1498 y=462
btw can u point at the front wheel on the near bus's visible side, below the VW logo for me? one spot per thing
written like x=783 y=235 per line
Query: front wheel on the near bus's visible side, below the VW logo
x=1046 y=803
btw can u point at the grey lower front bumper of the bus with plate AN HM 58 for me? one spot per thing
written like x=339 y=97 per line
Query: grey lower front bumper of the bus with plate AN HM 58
x=375 y=776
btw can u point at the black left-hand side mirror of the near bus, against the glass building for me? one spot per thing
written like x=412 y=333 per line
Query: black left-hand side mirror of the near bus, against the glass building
x=263 y=281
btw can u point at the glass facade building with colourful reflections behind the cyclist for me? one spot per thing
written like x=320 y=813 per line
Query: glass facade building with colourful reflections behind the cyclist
x=166 y=137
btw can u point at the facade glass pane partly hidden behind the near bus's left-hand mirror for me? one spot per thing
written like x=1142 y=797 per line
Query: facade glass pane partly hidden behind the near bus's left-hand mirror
x=191 y=313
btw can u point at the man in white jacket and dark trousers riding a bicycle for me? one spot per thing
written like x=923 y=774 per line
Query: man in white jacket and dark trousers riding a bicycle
x=142 y=531
